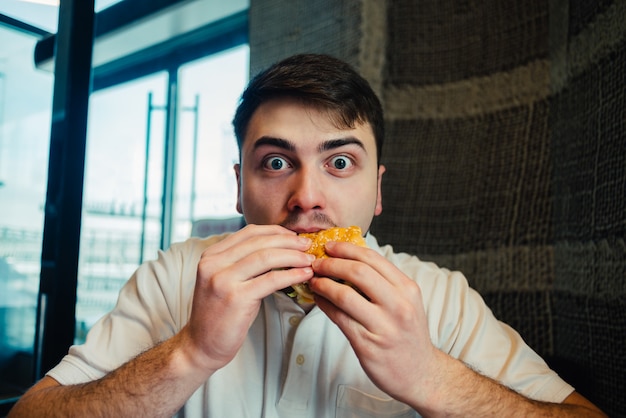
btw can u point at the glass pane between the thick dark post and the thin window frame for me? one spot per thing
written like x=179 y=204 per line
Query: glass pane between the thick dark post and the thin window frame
x=115 y=234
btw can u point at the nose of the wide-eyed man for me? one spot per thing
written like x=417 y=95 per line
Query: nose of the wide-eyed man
x=307 y=191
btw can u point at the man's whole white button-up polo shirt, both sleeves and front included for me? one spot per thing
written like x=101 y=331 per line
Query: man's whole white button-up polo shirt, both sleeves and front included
x=294 y=364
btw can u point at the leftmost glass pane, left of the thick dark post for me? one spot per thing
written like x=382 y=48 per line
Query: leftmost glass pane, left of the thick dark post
x=25 y=115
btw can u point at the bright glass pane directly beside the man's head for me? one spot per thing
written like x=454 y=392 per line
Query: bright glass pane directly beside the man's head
x=209 y=89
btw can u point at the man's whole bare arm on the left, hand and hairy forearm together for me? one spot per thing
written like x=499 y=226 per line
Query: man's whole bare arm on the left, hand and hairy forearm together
x=233 y=276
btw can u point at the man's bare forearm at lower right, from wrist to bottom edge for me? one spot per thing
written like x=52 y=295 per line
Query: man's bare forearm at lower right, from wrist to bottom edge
x=457 y=390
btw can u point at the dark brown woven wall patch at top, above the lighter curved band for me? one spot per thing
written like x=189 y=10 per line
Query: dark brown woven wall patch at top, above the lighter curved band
x=435 y=41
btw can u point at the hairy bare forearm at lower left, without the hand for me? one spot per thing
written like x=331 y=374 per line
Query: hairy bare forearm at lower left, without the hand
x=155 y=383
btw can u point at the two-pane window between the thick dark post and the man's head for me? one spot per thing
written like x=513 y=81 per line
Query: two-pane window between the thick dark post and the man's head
x=122 y=209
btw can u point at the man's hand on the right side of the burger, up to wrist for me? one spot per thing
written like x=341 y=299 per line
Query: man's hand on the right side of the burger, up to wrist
x=389 y=332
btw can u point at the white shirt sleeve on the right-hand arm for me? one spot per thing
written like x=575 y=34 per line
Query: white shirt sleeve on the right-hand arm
x=462 y=325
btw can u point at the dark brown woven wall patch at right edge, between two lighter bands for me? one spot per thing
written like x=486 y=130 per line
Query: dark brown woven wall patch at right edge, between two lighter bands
x=589 y=142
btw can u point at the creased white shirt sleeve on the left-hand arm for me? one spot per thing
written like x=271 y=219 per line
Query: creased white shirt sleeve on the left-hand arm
x=152 y=306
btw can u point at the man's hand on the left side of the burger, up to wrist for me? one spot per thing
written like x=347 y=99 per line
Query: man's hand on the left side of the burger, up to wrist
x=233 y=277
